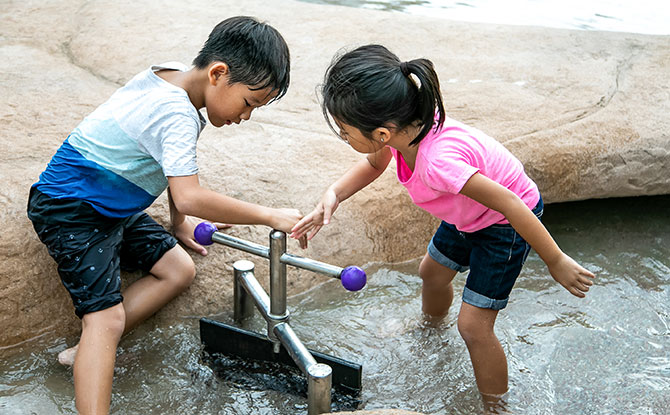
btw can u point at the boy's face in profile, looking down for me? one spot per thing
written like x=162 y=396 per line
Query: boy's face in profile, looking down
x=231 y=103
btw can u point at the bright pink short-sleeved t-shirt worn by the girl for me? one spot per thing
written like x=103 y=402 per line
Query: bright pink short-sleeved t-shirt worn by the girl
x=445 y=162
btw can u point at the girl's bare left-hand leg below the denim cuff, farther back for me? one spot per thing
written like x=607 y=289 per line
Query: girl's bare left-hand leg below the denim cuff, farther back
x=437 y=292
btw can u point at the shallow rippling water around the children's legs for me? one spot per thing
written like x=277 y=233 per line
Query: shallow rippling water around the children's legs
x=606 y=354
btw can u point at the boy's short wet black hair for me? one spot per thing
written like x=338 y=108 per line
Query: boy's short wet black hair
x=255 y=53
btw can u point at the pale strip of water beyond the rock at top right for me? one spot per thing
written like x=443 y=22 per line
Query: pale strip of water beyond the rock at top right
x=642 y=16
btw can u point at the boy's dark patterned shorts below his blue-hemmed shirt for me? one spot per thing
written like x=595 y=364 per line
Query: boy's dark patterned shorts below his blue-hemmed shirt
x=90 y=257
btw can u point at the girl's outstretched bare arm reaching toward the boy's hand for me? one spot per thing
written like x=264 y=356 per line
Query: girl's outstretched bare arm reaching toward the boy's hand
x=356 y=178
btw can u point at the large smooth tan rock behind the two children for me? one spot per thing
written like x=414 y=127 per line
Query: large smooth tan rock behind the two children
x=586 y=112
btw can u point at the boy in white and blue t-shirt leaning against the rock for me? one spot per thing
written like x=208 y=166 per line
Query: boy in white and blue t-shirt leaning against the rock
x=87 y=206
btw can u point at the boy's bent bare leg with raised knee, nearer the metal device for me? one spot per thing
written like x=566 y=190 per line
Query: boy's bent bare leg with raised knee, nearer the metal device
x=169 y=277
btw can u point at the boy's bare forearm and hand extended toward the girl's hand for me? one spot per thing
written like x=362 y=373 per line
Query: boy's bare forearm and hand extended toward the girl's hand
x=191 y=199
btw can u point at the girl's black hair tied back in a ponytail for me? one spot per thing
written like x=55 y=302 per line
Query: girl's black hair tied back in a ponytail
x=369 y=88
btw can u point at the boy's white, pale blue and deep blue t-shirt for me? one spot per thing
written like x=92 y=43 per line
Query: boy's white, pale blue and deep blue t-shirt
x=119 y=157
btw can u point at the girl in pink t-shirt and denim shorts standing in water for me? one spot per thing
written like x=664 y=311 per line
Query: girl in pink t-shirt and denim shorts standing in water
x=489 y=207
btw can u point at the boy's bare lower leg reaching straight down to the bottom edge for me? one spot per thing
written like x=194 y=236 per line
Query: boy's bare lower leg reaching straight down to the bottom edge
x=94 y=364
